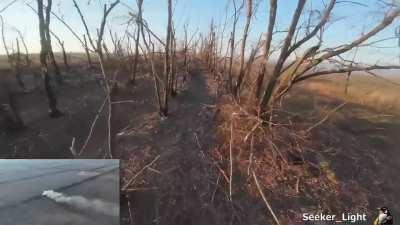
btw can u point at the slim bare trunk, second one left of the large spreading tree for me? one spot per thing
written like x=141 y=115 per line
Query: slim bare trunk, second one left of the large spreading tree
x=242 y=70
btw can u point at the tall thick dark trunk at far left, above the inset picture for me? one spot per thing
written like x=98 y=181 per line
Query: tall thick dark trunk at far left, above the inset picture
x=44 y=53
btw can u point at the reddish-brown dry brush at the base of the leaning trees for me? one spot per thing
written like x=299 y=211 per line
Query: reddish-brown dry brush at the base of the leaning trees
x=282 y=155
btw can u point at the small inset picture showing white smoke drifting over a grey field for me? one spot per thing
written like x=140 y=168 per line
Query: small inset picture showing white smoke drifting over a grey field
x=48 y=192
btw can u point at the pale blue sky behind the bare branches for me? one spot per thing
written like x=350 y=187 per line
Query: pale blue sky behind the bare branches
x=350 y=21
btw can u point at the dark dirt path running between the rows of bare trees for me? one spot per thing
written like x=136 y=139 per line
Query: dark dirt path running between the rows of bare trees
x=182 y=181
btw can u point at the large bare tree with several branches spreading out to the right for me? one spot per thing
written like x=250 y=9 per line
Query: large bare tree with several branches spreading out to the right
x=282 y=79
